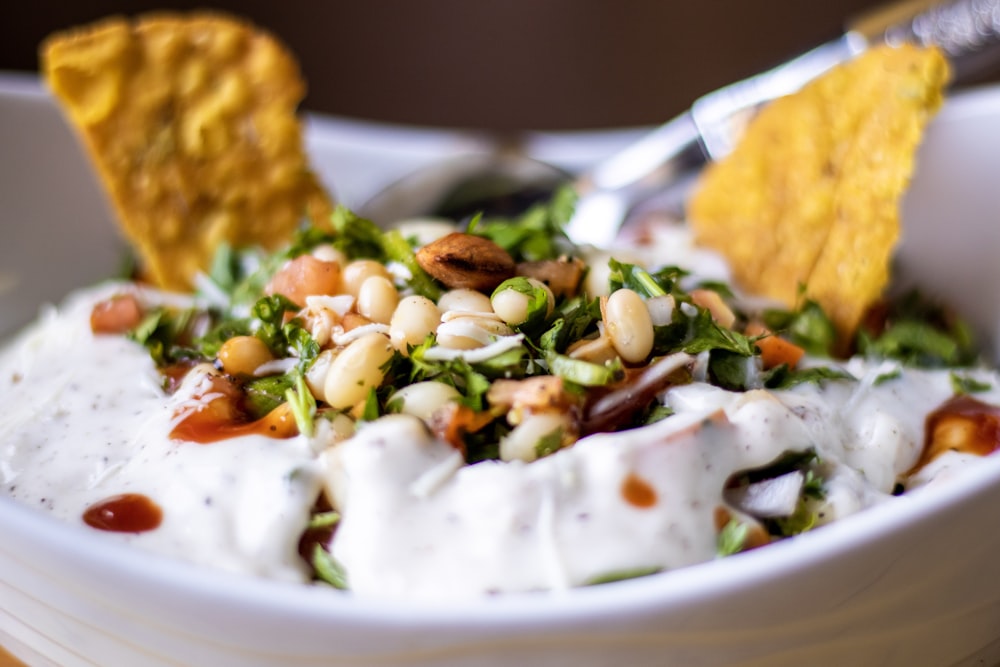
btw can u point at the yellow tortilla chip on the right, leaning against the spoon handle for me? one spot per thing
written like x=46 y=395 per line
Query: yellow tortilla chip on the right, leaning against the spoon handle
x=807 y=205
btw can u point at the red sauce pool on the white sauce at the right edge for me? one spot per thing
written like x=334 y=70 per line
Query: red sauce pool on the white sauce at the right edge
x=961 y=424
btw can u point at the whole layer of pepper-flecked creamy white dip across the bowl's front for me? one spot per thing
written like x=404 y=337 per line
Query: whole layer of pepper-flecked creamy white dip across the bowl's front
x=86 y=419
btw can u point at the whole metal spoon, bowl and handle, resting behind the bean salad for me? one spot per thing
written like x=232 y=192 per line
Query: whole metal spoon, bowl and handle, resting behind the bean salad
x=661 y=166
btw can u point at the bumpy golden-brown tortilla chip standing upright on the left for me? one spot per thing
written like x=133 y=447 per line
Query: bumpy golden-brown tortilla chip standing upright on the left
x=190 y=121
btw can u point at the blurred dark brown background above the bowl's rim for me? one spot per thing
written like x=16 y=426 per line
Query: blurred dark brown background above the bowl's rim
x=512 y=64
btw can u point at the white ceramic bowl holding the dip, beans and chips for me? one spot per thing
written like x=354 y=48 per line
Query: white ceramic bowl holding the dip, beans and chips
x=909 y=583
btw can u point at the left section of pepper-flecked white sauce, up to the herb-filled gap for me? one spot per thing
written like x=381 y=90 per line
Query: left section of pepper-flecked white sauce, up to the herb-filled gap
x=85 y=419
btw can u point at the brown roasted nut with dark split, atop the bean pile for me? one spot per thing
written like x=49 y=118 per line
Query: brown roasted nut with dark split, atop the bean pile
x=465 y=261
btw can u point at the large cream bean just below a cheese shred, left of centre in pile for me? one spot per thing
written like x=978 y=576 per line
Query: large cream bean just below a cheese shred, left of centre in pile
x=356 y=370
